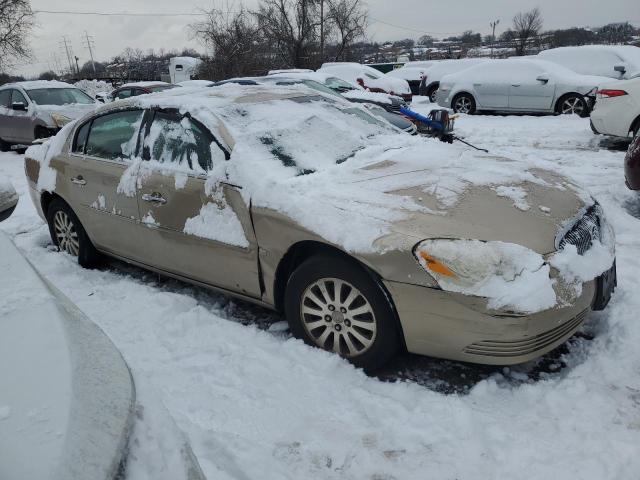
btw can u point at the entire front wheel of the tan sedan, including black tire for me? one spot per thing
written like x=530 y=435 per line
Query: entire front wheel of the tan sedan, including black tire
x=369 y=338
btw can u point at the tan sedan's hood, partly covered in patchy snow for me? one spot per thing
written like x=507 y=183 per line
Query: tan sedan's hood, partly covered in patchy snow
x=526 y=211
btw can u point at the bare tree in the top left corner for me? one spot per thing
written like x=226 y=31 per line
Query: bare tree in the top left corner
x=16 y=22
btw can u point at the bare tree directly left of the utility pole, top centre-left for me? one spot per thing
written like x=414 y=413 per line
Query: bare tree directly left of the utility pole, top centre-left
x=292 y=27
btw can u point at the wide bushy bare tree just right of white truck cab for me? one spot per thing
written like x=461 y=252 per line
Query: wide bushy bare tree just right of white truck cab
x=234 y=42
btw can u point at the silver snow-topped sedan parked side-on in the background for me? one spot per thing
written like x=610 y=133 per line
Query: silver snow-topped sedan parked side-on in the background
x=515 y=85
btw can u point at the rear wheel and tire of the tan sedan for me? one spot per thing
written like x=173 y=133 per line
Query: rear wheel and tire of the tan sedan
x=68 y=234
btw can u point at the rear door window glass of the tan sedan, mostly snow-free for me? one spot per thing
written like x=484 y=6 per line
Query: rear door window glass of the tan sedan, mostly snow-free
x=114 y=136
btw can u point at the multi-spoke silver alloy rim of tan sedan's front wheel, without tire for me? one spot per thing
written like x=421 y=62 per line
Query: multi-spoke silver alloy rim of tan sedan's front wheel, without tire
x=338 y=317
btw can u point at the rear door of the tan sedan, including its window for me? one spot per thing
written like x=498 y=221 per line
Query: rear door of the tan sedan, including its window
x=100 y=181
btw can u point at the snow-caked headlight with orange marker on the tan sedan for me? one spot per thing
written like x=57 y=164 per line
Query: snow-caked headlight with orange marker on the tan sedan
x=511 y=277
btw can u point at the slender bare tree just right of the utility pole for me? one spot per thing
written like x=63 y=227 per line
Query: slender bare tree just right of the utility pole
x=348 y=19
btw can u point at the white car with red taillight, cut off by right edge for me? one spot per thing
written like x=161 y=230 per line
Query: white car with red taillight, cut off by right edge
x=617 y=108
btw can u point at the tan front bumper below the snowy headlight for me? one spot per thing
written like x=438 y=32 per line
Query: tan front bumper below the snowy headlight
x=458 y=327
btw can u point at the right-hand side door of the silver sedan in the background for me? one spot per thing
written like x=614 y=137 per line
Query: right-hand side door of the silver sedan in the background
x=527 y=93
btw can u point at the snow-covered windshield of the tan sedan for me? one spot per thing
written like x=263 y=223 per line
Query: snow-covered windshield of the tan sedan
x=304 y=134
